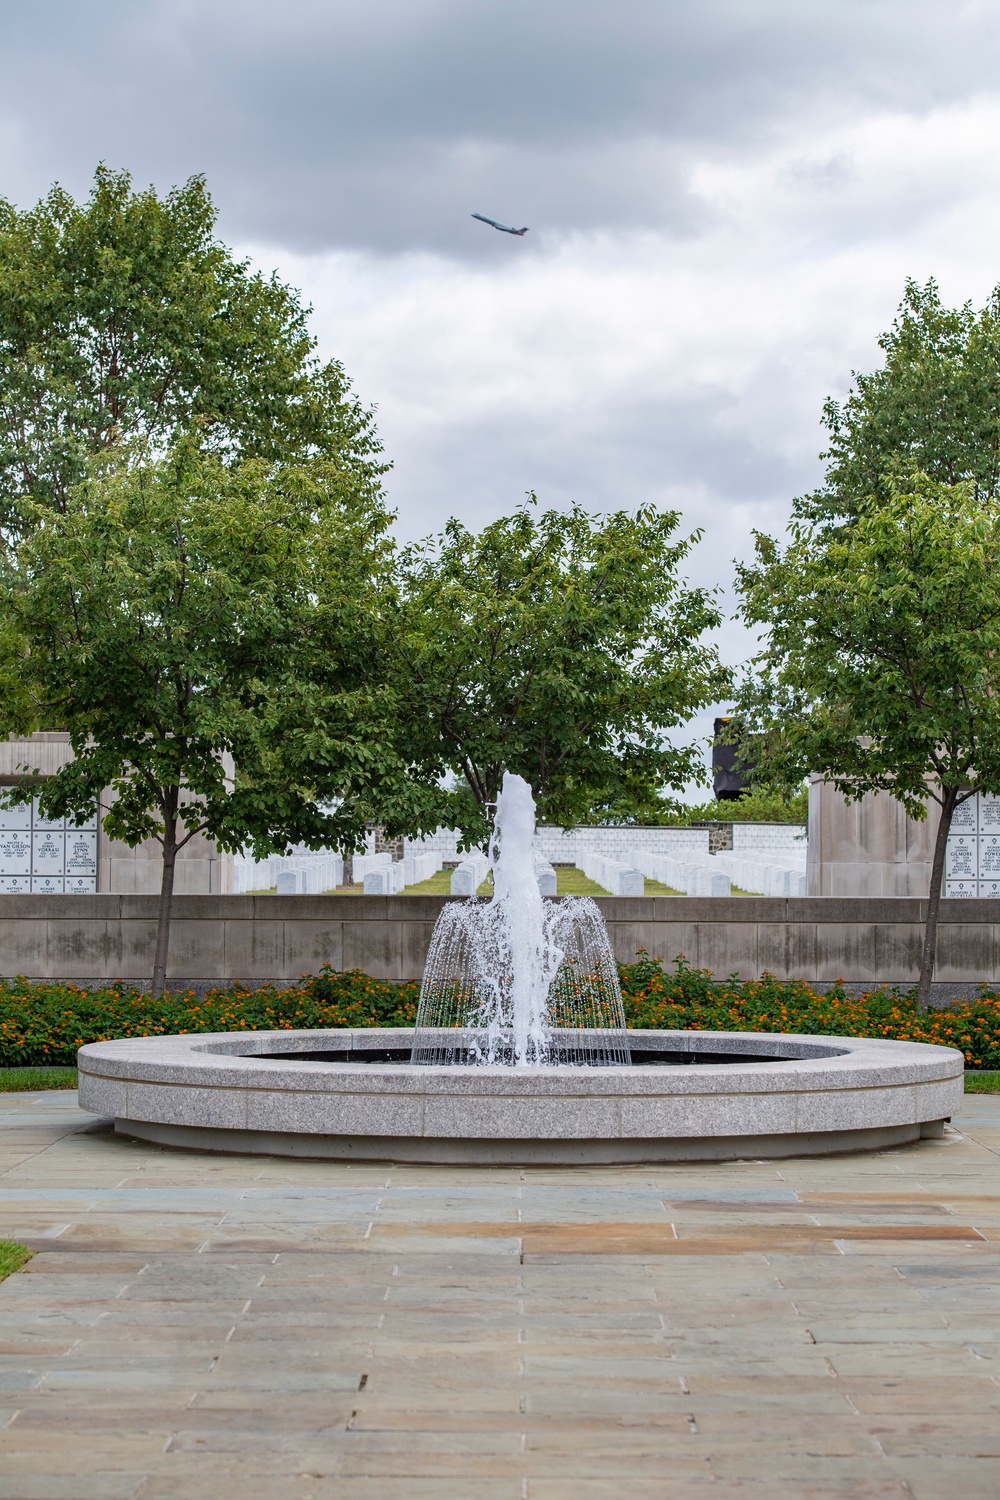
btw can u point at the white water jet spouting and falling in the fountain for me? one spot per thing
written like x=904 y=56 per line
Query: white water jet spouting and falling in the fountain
x=519 y=982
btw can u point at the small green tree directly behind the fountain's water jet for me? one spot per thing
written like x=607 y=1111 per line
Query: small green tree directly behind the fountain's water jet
x=561 y=647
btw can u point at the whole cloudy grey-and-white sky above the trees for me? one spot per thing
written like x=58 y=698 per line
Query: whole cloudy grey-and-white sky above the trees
x=723 y=200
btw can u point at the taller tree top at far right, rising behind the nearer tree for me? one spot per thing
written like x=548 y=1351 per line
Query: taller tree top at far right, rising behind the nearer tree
x=933 y=407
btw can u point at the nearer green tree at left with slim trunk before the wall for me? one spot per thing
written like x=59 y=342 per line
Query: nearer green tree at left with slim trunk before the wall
x=209 y=637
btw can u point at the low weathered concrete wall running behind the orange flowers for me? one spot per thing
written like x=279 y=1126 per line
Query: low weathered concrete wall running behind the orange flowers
x=280 y=938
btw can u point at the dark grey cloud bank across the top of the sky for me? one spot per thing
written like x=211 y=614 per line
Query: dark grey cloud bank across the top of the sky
x=383 y=125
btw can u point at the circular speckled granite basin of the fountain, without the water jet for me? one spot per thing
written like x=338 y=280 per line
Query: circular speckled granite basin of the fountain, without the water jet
x=687 y=1097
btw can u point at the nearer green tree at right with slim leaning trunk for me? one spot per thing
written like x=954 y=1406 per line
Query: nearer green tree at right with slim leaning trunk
x=882 y=659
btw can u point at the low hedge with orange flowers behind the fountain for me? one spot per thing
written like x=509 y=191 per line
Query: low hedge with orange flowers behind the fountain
x=46 y=1024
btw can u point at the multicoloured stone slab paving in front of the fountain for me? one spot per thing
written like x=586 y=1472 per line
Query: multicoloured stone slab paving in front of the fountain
x=223 y=1327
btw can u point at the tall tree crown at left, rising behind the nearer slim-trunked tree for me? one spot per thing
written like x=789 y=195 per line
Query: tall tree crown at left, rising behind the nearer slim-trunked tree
x=125 y=319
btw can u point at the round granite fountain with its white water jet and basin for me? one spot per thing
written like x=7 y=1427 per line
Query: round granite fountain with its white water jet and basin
x=521 y=1055
